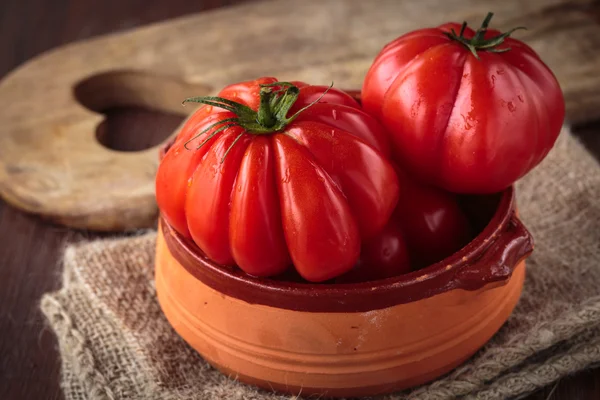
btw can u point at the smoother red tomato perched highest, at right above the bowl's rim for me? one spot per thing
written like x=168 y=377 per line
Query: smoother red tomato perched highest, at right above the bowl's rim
x=468 y=111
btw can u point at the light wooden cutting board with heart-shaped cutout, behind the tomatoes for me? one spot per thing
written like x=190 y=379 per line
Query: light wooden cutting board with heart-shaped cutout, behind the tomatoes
x=51 y=163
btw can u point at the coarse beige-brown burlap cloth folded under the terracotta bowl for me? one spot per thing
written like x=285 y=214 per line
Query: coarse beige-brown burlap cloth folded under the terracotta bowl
x=116 y=344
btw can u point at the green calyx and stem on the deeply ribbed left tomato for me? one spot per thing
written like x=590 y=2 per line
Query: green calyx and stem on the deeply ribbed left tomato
x=276 y=100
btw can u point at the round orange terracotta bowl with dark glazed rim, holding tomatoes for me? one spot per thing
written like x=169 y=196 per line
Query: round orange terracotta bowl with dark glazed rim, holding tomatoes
x=347 y=339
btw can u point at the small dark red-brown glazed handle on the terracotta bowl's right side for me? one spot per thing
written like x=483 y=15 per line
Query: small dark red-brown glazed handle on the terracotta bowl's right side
x=498 y=262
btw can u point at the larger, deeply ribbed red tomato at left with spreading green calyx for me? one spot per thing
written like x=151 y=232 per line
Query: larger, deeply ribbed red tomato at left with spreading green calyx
x=260 y=182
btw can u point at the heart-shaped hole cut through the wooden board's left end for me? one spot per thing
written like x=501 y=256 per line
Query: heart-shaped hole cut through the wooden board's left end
x=142 y=109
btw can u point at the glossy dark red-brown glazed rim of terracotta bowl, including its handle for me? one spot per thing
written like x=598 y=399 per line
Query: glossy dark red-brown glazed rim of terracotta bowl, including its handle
x=489 y=258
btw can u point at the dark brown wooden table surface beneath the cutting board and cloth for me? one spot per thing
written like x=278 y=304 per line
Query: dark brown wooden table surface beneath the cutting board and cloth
x=30 y=248
